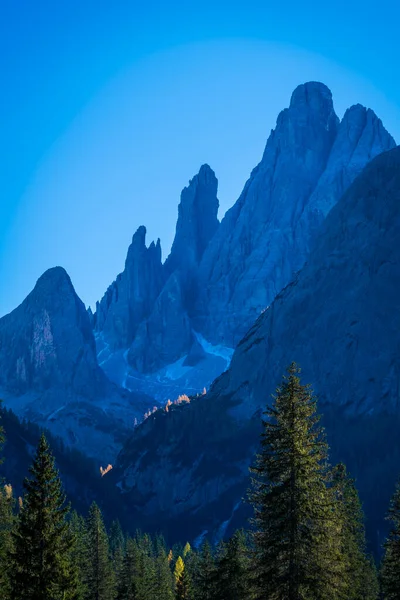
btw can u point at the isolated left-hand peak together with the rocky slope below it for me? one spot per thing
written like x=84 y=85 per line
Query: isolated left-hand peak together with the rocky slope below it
x=49 y=371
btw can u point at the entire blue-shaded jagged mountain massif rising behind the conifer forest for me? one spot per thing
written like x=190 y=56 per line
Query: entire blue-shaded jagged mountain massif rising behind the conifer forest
x=303 y=267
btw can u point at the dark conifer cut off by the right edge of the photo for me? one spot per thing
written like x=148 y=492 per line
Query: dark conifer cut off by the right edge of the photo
x=390 y=572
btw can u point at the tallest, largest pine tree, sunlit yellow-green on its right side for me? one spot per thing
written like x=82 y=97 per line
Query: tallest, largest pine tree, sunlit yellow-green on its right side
x=296 y=552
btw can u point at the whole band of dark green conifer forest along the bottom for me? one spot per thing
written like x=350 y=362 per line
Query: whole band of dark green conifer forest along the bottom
x=306 y=540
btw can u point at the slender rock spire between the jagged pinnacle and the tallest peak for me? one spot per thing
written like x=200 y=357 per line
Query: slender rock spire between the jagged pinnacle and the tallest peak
x=197 y=221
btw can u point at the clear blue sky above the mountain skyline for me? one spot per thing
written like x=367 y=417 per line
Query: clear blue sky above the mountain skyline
x=108 y=108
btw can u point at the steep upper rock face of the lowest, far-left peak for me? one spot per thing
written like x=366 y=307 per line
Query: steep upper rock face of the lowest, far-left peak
x=48 y=340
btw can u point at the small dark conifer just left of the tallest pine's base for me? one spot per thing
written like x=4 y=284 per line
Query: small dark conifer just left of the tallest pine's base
x=233 y=566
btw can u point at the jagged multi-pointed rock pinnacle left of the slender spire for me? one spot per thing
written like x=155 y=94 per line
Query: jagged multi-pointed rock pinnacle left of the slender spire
x=130 y=298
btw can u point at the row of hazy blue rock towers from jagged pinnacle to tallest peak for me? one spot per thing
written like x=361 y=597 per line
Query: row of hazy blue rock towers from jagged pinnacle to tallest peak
x=228 y=273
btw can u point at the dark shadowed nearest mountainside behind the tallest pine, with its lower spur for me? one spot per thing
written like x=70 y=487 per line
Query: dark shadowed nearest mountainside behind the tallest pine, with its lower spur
x=339 y=319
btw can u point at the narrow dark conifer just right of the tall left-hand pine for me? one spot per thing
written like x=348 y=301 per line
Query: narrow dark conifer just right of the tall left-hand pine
x=99 y=576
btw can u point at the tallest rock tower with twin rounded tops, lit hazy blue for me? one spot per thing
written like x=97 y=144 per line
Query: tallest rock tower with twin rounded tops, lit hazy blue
x=309 y=161
